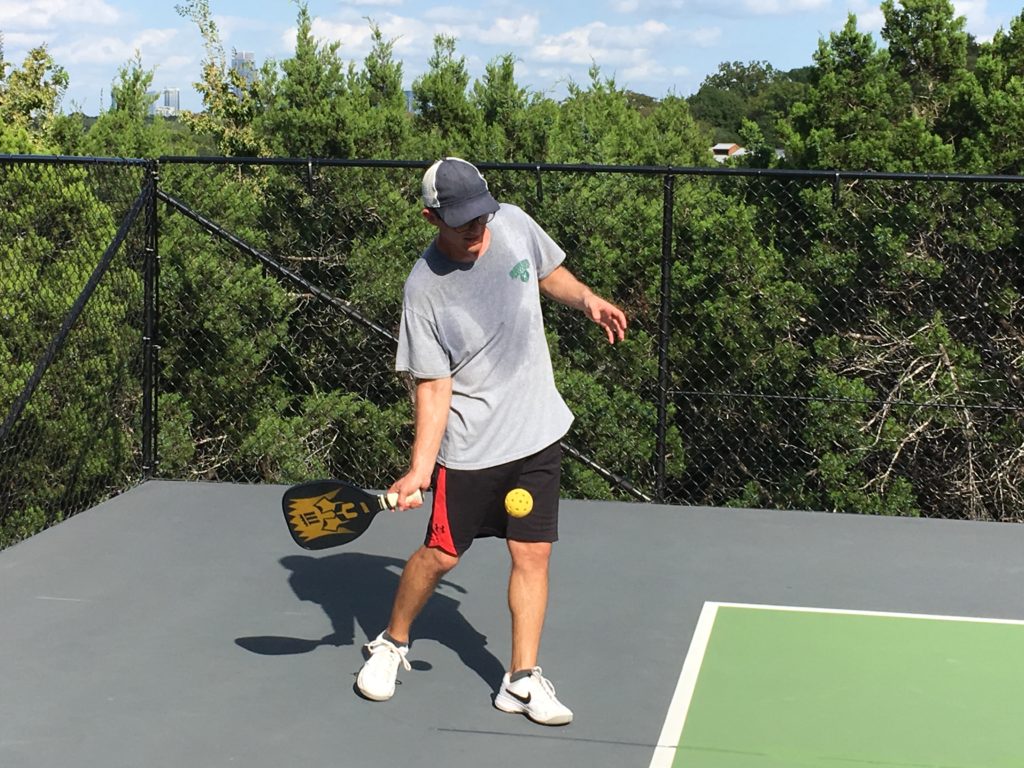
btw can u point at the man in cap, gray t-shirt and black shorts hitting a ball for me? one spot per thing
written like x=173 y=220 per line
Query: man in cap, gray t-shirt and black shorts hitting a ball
x=488 y=416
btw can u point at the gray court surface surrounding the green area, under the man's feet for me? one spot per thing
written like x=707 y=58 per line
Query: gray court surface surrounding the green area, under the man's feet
x=179 y=625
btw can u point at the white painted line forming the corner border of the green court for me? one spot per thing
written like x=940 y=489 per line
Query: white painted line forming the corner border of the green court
x=672 y=732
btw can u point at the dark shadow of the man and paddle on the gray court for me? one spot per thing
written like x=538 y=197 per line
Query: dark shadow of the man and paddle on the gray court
x=358 y=589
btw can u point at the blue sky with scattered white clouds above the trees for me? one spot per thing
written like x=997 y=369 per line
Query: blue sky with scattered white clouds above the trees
x=658 y=48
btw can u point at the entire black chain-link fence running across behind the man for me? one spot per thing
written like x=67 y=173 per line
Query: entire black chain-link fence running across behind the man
x=833 y=342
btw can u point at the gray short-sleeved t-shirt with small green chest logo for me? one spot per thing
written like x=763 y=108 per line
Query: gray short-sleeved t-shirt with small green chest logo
x=481 y=324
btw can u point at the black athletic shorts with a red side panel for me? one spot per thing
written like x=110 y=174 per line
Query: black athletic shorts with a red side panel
x=471 y=503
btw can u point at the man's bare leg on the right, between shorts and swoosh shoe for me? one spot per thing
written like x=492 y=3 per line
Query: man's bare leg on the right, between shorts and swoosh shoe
x=528 y=601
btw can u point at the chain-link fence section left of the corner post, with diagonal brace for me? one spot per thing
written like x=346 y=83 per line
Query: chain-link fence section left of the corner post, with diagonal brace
x=73 y=245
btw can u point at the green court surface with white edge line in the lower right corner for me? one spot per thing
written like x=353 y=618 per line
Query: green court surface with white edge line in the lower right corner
x=767 y=688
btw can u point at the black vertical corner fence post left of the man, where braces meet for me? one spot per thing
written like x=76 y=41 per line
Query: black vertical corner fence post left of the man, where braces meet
x=151 y=277
